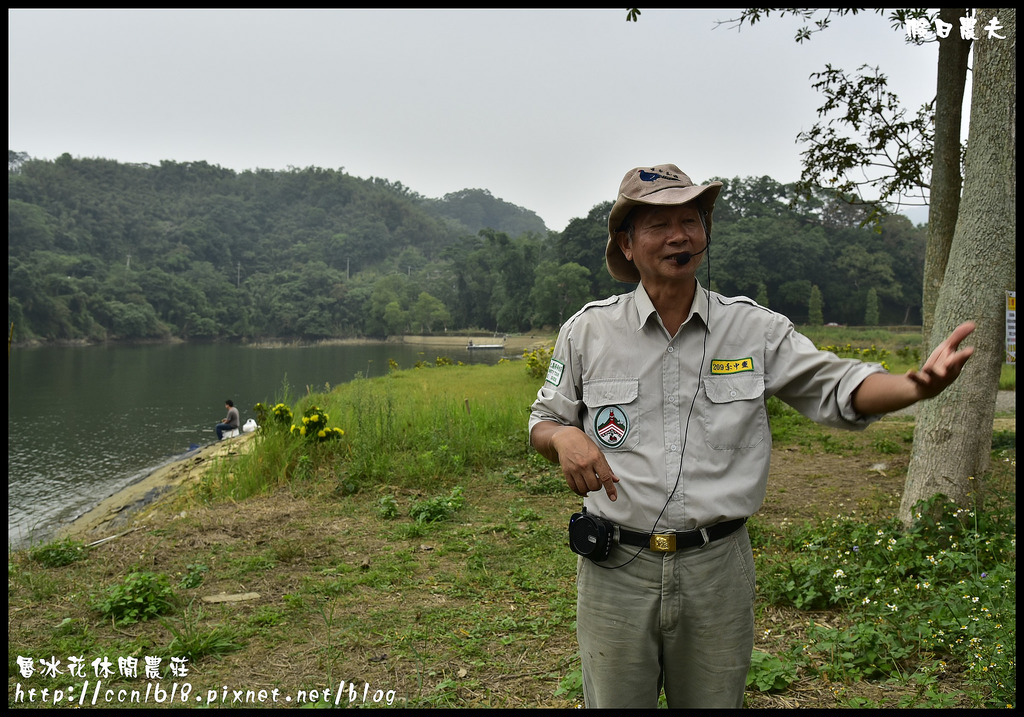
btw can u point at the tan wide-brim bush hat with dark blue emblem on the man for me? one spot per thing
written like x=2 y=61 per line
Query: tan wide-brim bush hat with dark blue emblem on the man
x=663 y=185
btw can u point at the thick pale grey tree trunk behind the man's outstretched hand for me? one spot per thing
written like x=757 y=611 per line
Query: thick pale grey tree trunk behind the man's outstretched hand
x=954 y=434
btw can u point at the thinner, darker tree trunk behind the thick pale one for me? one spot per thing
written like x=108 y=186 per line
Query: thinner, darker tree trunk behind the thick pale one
x=945 y=196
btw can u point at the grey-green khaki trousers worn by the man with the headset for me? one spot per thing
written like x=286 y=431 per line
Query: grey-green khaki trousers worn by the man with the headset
x=682 y=620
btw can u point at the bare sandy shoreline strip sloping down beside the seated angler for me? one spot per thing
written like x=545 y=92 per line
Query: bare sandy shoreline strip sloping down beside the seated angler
x=119 y=512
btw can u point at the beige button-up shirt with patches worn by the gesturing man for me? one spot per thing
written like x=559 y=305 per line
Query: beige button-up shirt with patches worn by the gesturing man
x=681 y=419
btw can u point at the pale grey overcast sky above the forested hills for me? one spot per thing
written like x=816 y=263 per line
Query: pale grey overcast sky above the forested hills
x=544 y=109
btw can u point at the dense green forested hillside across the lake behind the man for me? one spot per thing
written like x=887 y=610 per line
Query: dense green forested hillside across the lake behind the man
x=100 y=250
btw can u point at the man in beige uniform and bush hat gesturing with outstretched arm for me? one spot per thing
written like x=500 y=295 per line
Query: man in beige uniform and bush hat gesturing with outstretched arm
x=655 y=407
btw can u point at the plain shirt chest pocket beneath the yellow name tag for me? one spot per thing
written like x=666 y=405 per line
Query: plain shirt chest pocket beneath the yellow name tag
x=735 y=413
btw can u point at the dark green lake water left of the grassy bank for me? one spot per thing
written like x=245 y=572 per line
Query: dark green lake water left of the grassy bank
x=86 y=423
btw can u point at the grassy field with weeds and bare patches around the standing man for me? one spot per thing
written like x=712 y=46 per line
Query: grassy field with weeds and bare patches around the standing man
x=419 y=560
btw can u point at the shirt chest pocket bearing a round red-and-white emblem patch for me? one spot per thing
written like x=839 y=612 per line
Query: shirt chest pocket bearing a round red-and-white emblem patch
x=613 y=412
